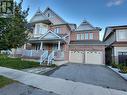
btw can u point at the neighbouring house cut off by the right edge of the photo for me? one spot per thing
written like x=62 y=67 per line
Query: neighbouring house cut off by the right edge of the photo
x=116 y=39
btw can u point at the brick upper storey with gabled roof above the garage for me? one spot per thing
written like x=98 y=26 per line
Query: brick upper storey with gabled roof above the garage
x=85 y=31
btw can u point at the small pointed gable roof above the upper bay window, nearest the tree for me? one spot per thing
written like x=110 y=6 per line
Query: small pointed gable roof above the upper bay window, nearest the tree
x=39 y=16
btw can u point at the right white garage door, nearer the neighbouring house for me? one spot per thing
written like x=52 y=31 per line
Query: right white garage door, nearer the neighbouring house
x=93 y=57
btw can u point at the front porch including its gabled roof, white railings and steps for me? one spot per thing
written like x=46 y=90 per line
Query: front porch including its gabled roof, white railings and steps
x=47 y=48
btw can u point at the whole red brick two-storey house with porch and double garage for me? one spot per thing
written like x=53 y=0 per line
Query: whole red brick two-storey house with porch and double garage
x=54 y=39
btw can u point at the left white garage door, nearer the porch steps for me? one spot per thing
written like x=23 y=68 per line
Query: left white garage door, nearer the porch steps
x=76 y=56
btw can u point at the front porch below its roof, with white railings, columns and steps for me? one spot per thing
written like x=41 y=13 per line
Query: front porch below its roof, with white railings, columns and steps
x=42 y=51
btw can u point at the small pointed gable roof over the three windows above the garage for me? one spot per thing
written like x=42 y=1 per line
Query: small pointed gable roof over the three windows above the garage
x=85 y=25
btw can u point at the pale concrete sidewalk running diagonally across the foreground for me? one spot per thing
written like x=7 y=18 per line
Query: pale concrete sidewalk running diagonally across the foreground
x=56 y=85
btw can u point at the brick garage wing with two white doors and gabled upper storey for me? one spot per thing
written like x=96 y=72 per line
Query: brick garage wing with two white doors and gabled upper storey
x=85 y=46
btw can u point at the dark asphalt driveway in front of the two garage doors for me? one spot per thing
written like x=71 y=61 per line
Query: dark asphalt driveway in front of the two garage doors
x=91 y=74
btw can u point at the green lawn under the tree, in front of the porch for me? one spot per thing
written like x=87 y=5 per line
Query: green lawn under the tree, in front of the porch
x=16 y=63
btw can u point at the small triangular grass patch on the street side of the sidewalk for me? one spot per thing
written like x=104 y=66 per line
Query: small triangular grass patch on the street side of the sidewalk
x=5 y=81
